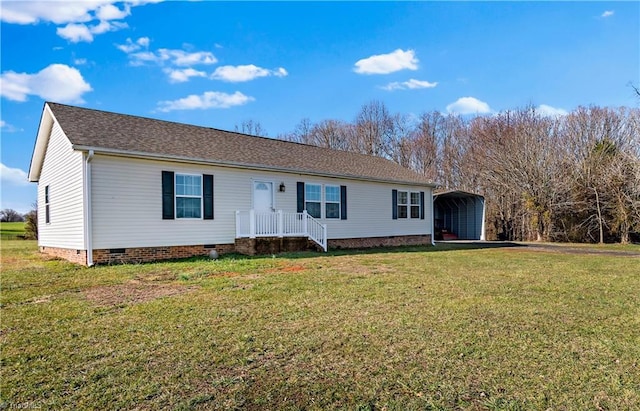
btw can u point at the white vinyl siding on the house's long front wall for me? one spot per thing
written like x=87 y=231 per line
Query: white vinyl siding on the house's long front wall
x=127 y=212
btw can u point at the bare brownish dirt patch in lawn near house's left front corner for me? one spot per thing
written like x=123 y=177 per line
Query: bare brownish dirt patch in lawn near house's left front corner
x=133 y=292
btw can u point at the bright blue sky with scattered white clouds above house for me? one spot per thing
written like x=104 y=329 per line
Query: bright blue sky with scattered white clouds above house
x=218 y=64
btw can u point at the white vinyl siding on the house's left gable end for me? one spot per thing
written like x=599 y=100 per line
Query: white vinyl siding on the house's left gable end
x=62 y=173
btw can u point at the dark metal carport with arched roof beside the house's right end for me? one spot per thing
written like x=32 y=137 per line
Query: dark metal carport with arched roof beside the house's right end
x=458 y=215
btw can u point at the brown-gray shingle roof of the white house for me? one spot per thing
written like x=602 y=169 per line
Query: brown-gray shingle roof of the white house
x=100 y=130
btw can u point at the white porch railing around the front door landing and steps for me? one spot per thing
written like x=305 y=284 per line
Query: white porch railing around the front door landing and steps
x=254 y=224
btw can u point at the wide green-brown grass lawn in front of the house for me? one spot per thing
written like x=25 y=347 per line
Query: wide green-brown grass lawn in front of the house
x=494 y=329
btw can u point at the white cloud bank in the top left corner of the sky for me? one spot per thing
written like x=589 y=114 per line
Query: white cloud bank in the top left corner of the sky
x=74 y=16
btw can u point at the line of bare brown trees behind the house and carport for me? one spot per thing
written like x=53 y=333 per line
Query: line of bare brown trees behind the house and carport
x=573 y=177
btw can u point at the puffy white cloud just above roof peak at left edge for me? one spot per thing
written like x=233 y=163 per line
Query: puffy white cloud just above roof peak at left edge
x=56 y=82
